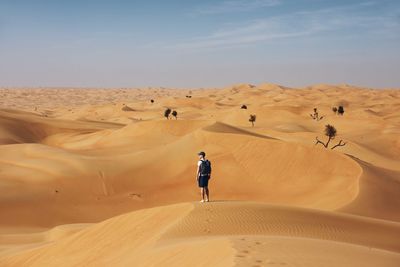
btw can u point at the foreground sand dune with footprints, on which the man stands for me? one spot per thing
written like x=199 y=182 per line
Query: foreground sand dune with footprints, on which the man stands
x=229 y=232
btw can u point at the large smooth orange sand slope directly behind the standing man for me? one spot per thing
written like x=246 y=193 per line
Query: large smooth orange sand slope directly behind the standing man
x=255 y=168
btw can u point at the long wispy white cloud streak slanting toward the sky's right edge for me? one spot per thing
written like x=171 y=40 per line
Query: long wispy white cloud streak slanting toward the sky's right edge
x=294 y=25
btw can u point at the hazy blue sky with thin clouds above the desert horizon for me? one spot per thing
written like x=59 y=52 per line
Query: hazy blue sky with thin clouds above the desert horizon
x=192 y=43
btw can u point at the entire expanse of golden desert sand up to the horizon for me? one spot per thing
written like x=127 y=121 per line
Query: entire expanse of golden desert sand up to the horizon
x=99 y=177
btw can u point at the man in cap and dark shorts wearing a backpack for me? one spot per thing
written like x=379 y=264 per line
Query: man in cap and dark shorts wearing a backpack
x=203 y=175
